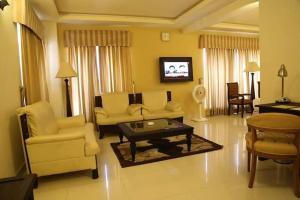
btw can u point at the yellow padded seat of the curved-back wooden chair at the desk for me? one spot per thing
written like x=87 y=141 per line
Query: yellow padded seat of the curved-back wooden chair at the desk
x=273 y=143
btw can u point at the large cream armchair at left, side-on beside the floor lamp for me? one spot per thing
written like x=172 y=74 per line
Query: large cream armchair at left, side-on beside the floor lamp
x=53 y=146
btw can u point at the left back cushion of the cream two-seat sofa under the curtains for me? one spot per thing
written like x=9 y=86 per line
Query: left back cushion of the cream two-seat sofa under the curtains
x=115 y=102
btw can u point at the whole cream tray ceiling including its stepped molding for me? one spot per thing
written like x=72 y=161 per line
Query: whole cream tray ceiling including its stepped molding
x=187 y=15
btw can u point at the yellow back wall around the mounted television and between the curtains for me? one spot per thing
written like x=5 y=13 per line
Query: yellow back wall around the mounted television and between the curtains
x=146 y=48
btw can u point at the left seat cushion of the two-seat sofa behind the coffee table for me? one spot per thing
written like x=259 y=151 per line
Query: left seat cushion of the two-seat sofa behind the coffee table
x=118 y=118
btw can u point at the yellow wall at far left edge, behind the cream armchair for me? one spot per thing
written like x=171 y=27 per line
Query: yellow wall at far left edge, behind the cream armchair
x=11 y=155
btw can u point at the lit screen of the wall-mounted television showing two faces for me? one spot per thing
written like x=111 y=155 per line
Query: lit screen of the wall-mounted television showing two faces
x=176 y=69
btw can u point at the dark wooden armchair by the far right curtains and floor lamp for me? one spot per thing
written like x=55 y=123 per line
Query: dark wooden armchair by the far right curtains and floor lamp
x=234 y=98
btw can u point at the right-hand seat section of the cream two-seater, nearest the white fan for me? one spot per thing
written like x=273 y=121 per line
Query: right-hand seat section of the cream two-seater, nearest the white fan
x=158 y=104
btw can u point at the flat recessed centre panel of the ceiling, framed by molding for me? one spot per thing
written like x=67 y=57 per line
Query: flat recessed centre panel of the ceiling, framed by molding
x=142 y=8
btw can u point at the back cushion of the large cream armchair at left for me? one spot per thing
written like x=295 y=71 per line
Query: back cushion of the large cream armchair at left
x=40 y=118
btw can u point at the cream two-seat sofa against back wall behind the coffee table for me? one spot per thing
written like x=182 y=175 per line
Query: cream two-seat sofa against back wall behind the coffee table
x=114 y=108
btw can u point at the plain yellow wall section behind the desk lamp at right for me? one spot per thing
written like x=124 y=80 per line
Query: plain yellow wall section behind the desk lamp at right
x=280 y=44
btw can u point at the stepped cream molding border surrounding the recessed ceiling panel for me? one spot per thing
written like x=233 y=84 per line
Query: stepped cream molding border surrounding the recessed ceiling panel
x=207 y=14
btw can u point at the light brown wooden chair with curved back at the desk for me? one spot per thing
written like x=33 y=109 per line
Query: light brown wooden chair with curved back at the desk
x=275 y=136
